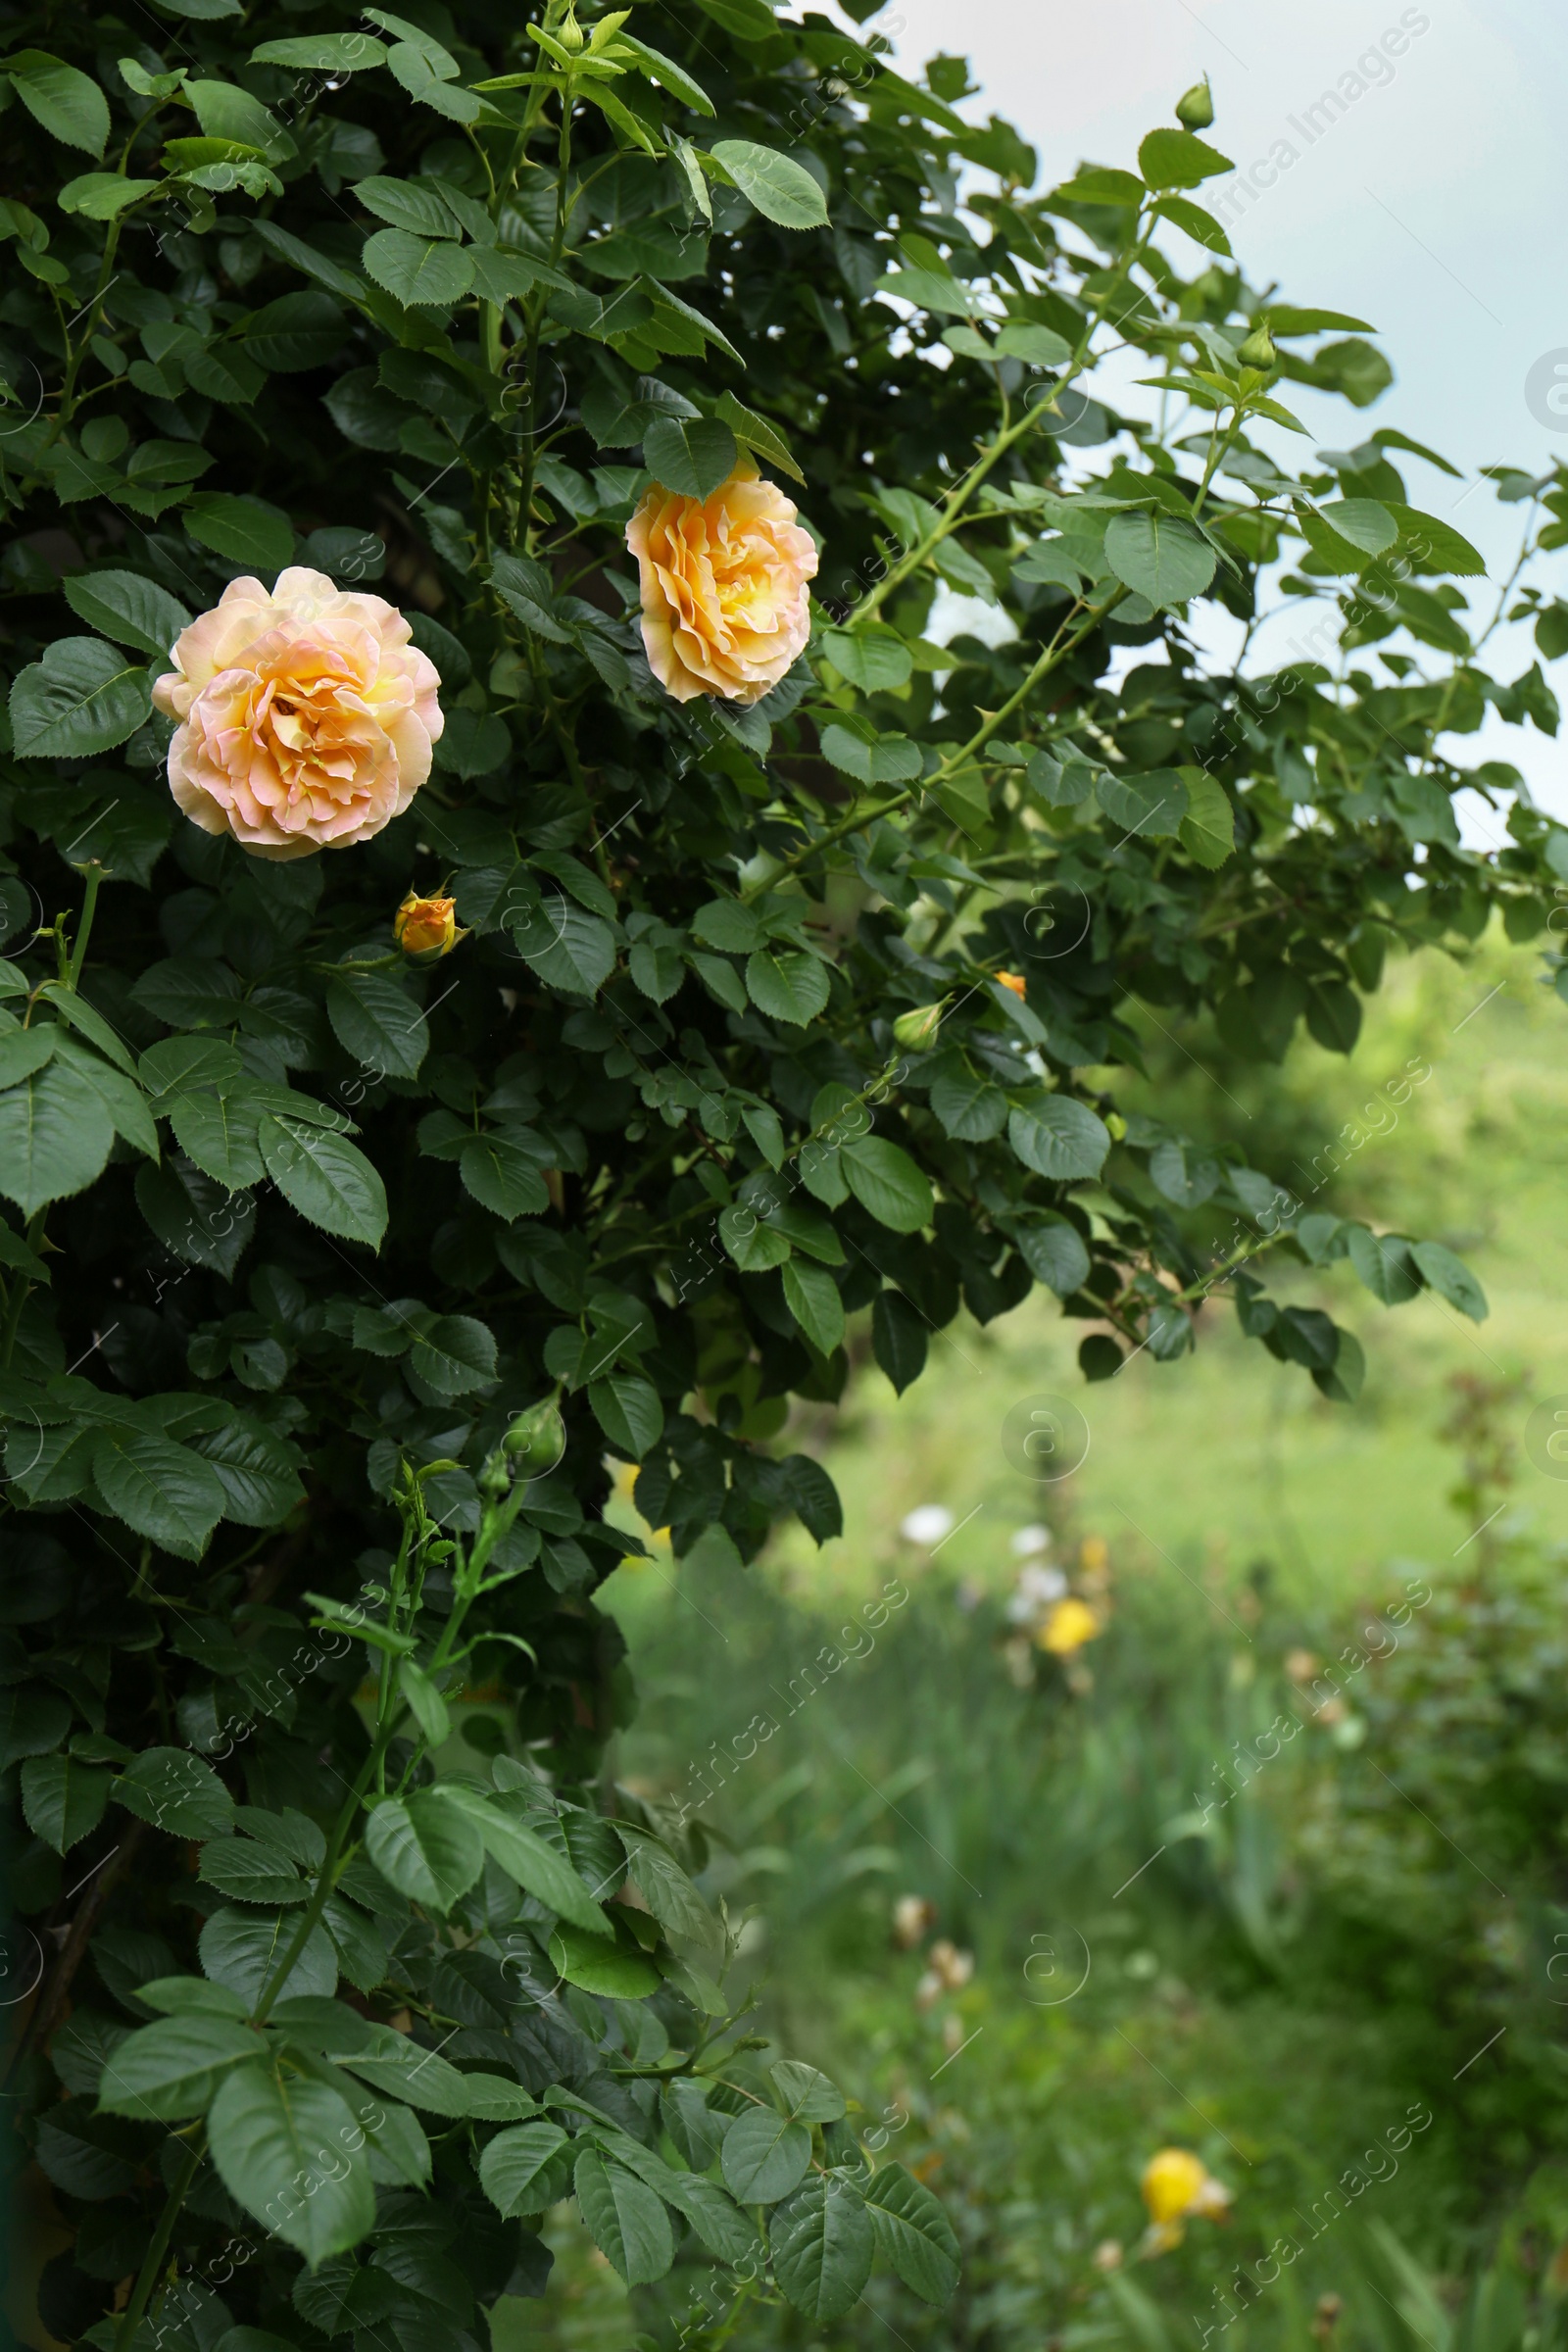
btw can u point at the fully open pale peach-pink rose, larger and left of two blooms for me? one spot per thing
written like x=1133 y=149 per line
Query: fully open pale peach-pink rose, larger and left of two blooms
x=307 y=716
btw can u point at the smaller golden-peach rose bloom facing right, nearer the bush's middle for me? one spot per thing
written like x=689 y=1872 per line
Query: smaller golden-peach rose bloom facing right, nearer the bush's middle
x=725 y=601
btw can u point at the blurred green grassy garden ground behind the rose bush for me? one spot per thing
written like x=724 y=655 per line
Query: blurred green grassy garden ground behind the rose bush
x=1278 y=1991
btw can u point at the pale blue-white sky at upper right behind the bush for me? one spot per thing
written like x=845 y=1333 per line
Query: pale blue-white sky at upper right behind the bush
x=1433 y=206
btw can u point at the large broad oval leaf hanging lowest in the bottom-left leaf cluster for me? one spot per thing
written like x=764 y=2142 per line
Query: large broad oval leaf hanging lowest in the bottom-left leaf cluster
x=290 y=2151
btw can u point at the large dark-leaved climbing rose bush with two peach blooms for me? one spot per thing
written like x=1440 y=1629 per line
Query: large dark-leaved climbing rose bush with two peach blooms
x=779 y=1020
